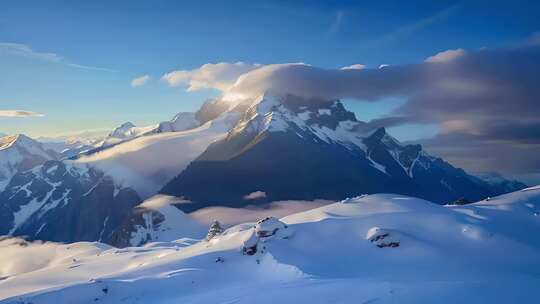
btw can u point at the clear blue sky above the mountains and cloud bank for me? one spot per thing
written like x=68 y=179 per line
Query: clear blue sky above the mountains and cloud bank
x=84 y=54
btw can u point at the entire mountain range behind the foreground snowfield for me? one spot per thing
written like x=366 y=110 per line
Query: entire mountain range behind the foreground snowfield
x=250 y=152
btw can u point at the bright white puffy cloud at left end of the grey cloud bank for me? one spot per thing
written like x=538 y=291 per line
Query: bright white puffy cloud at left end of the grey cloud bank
x=219 y=76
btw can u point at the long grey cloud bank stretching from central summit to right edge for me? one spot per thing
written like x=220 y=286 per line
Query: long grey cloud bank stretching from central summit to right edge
x=485 y=102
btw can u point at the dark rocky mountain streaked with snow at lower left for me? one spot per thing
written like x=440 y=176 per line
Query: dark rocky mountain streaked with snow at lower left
x=62 y=202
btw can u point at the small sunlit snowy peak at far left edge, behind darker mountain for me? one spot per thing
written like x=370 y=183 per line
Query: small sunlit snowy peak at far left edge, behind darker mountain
x=20 y=153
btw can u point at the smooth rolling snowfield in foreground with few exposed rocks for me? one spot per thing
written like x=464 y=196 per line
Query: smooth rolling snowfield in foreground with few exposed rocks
x=488 y=252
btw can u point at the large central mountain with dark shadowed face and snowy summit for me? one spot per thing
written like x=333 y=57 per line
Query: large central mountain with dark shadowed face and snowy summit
x=292 y=149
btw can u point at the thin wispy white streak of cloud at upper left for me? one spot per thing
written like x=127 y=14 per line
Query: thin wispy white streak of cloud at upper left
x=23 y=50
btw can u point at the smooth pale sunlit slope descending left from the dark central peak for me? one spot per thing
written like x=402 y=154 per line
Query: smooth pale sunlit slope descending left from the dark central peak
x=146 y=163
